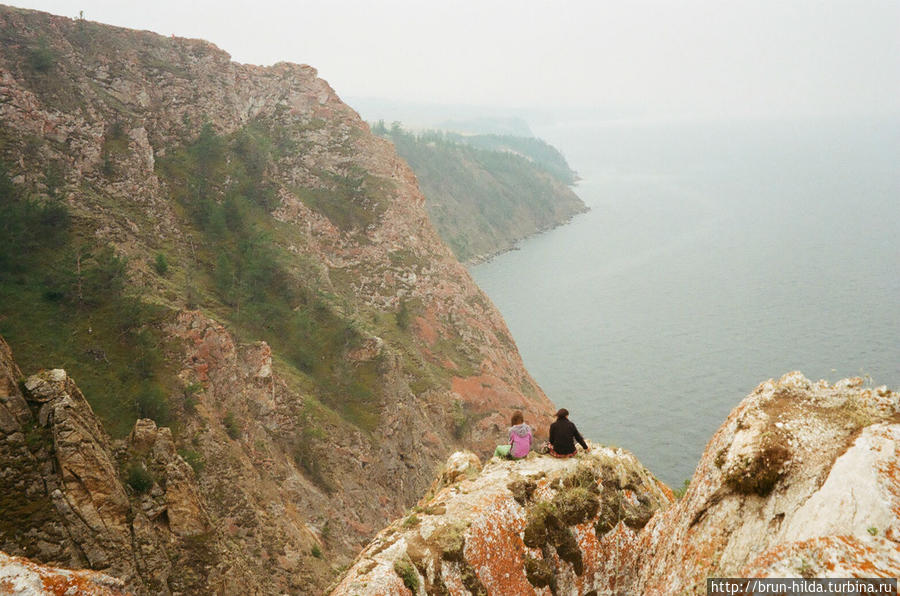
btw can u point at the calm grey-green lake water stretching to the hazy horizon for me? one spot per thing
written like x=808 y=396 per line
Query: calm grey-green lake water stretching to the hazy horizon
x=716 y=256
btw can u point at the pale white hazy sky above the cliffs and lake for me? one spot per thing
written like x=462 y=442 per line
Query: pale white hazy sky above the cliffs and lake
x=708 y=58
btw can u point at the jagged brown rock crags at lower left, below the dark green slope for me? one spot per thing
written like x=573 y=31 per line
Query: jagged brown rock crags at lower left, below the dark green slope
x=133 y=508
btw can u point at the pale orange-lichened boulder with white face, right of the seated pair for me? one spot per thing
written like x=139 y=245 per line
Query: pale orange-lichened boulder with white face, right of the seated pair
x=801 y=480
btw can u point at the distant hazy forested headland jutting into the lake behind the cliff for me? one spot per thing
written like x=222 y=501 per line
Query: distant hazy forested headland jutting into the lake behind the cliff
x=486 y=192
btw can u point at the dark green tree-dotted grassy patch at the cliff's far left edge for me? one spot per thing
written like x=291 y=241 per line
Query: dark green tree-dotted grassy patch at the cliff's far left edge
x=66 y=303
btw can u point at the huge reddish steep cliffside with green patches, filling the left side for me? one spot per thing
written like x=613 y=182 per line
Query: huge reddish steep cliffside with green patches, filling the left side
x=275 y=295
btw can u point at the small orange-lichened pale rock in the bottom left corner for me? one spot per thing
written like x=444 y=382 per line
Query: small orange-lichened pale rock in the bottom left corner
x=21 y=577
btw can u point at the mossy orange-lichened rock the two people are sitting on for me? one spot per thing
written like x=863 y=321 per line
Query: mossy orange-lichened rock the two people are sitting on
x=532 y=526
